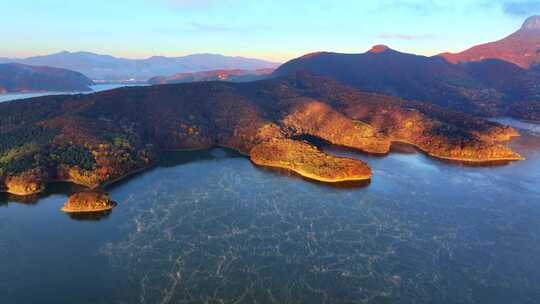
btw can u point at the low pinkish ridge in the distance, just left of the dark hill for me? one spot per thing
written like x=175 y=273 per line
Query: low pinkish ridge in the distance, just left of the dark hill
x=215 y=75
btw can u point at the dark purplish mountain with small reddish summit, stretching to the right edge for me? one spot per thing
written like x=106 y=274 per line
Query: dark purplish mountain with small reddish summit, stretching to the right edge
x=487 y=88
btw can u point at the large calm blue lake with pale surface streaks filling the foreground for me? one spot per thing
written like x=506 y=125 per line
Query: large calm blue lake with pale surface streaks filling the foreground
x=209 y=227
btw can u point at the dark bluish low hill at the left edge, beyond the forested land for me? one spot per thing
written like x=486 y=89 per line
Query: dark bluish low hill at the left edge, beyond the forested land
x=16 y=77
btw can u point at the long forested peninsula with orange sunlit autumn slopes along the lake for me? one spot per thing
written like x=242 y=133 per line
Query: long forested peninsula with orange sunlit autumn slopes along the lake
x=92 y=140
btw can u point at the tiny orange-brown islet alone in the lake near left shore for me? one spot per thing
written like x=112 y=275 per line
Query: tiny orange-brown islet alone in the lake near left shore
x=93 y=201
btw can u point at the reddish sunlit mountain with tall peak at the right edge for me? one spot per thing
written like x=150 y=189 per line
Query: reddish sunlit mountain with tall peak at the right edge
x=521 y=48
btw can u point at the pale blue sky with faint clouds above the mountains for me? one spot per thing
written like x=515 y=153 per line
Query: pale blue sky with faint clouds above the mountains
x=276 y=30
